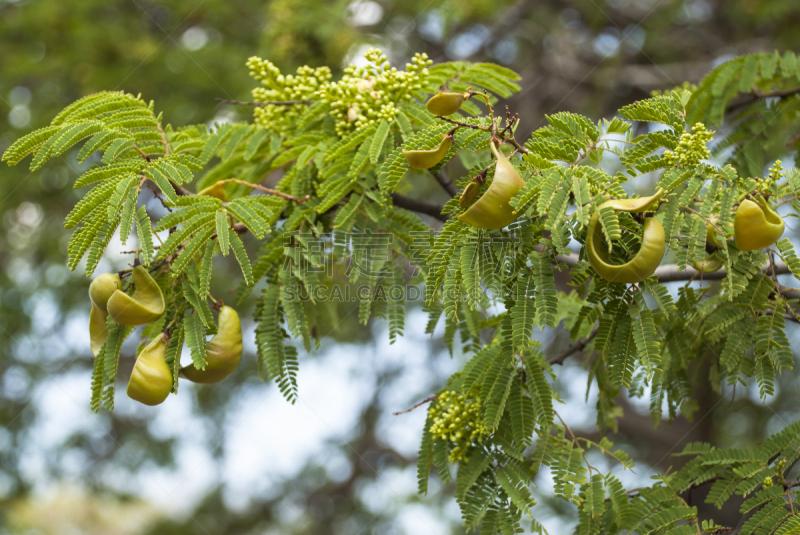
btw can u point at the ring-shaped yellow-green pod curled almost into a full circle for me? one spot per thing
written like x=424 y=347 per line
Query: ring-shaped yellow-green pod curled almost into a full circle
x=650 y=253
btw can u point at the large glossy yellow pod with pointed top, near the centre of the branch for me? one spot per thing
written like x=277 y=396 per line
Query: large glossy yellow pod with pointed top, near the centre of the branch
x=492 y=210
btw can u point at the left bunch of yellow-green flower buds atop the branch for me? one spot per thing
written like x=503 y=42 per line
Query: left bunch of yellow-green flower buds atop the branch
x=277 y=87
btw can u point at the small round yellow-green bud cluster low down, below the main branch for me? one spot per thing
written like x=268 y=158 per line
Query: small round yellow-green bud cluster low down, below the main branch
x=459 y=421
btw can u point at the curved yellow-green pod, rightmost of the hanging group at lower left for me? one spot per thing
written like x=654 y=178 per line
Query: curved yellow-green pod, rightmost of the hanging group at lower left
x=224 y=350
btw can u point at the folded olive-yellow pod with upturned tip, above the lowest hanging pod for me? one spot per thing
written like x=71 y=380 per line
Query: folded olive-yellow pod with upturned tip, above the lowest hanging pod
x=145 y=305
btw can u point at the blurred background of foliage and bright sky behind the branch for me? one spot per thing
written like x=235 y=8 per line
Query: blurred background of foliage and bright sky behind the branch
x=236 y=458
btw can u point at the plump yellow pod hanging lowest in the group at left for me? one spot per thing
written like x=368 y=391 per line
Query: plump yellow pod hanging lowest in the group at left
x=151 y=378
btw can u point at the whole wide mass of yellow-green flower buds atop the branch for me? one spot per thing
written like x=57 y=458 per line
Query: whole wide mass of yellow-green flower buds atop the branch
x=365 y=94
